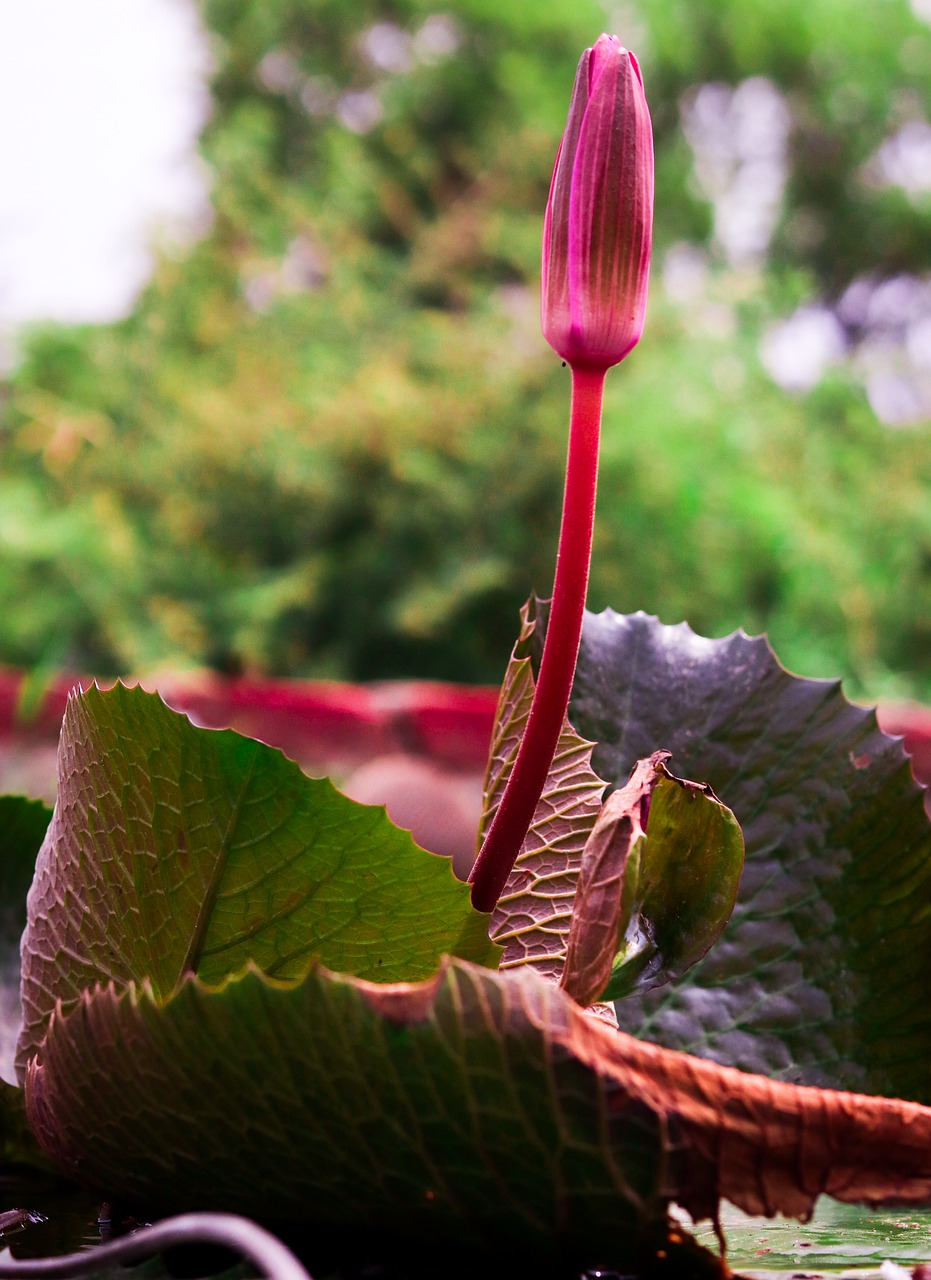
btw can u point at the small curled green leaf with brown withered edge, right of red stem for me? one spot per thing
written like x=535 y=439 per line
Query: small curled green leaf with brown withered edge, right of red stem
x=658 y=885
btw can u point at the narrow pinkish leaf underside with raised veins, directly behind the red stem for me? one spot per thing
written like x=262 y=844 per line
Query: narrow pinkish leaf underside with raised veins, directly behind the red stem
x=533 y=916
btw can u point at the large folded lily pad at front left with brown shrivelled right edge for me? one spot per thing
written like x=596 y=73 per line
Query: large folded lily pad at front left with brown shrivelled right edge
x=468 y=1107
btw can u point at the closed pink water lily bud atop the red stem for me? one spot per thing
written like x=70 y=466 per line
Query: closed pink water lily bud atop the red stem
x=599 y=230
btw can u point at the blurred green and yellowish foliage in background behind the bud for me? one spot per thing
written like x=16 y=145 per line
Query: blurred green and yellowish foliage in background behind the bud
x=330 y=440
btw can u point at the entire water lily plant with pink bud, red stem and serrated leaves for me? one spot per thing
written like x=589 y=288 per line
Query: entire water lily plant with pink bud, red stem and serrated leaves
x=244 y=993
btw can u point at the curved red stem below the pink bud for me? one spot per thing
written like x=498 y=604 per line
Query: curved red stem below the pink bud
x=560 y=650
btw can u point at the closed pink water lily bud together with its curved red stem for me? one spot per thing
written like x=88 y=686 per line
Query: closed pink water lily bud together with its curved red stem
x=597 y=240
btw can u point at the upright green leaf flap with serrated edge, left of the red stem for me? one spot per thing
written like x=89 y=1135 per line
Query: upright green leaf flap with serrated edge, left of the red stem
x=179 y=851
